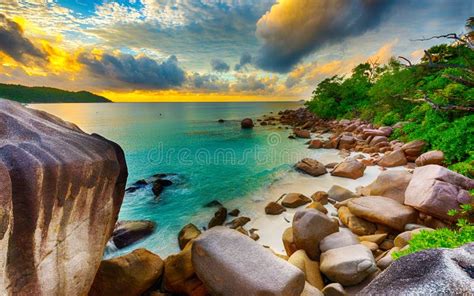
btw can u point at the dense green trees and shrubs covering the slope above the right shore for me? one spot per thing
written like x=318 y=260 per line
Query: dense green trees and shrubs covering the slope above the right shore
x=433 y=100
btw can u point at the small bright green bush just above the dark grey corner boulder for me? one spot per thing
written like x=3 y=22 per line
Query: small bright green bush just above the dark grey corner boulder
x=439 y=238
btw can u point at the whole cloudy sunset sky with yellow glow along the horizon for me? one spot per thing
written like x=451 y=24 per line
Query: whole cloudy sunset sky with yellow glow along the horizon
x=211 y=50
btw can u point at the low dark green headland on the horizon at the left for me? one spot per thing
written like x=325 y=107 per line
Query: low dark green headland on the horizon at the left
x=24 y=94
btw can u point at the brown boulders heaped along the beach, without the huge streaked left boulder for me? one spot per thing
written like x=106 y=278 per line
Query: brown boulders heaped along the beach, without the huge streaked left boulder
x=347 y=252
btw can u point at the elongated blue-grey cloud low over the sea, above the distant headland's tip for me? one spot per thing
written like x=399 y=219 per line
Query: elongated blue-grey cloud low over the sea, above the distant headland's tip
x=141 y=72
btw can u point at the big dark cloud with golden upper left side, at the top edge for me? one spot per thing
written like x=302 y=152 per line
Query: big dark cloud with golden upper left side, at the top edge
x=293 y=29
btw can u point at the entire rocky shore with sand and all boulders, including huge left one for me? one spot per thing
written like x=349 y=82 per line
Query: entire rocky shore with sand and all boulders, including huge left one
x=339 y=241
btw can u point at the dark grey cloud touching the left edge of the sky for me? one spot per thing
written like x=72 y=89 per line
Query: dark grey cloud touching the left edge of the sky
x=14 y=44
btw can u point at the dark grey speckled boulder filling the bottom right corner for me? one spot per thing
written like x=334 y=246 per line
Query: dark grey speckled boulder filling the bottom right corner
x=429 y=272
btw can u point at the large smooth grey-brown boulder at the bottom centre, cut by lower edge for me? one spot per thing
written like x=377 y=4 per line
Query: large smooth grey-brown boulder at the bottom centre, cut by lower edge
x=230 y=263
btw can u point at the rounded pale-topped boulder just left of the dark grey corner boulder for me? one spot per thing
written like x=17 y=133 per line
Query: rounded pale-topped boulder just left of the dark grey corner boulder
x=348 y=265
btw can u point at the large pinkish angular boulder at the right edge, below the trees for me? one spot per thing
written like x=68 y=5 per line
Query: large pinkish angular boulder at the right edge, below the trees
x=435 y=190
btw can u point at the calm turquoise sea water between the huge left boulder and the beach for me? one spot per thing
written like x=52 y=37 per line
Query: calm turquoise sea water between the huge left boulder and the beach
x=213 y=161
